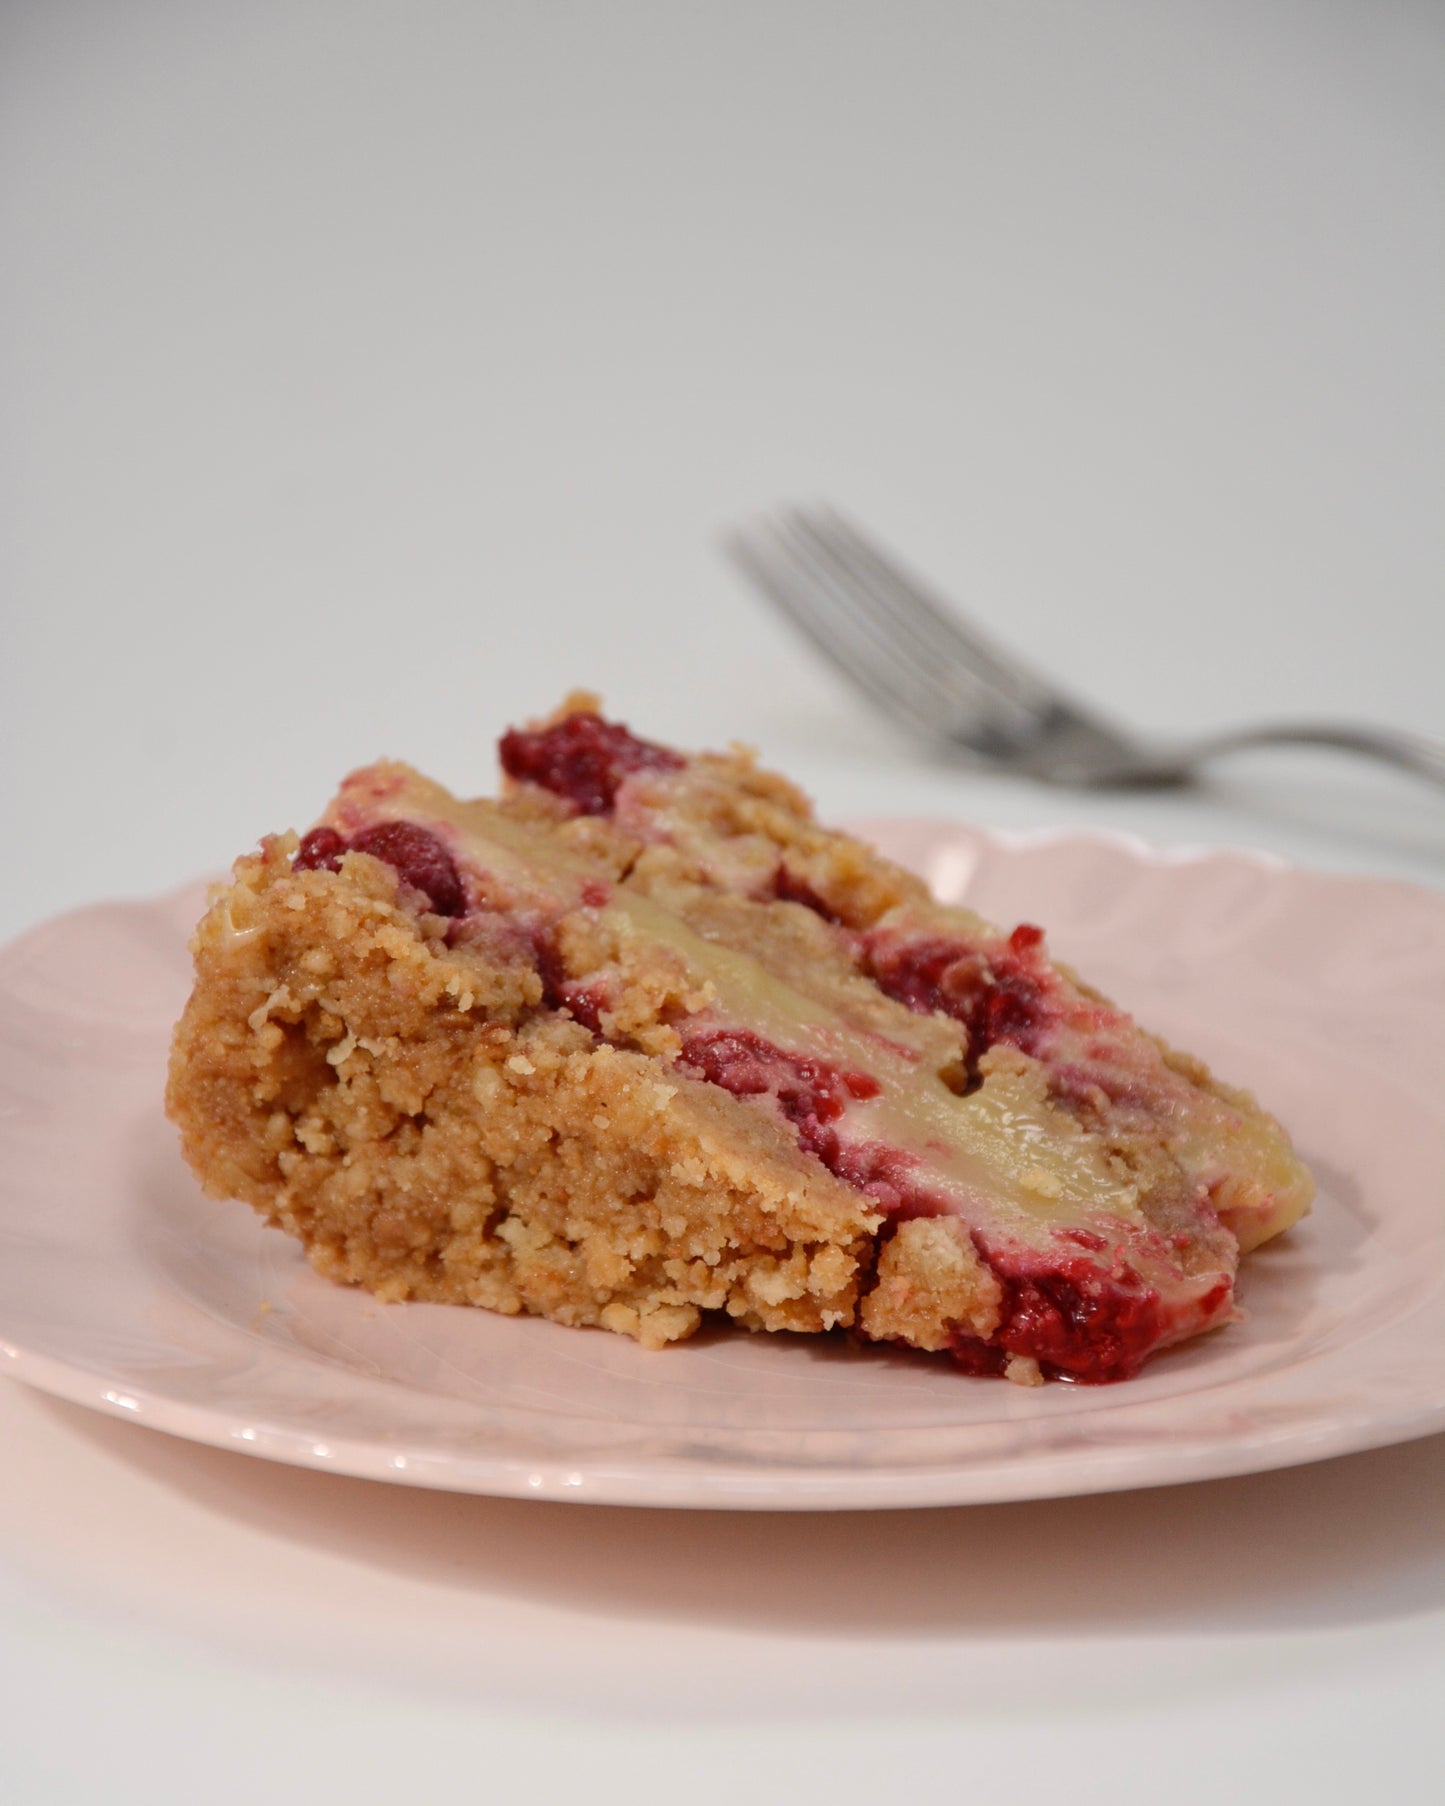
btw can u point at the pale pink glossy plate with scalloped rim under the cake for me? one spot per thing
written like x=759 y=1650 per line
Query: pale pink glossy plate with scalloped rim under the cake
x=124 y=1289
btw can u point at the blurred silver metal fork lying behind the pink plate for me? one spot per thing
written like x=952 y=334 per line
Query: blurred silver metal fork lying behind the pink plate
x=922 y=664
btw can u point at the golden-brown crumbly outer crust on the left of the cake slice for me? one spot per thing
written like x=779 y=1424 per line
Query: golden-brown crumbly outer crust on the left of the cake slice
x=472 y=1150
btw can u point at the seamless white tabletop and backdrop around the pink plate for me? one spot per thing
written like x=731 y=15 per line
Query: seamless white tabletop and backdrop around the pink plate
x=375 y=373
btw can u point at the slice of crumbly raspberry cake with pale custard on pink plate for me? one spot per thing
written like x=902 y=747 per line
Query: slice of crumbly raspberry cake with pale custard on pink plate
x=642 y=1041
